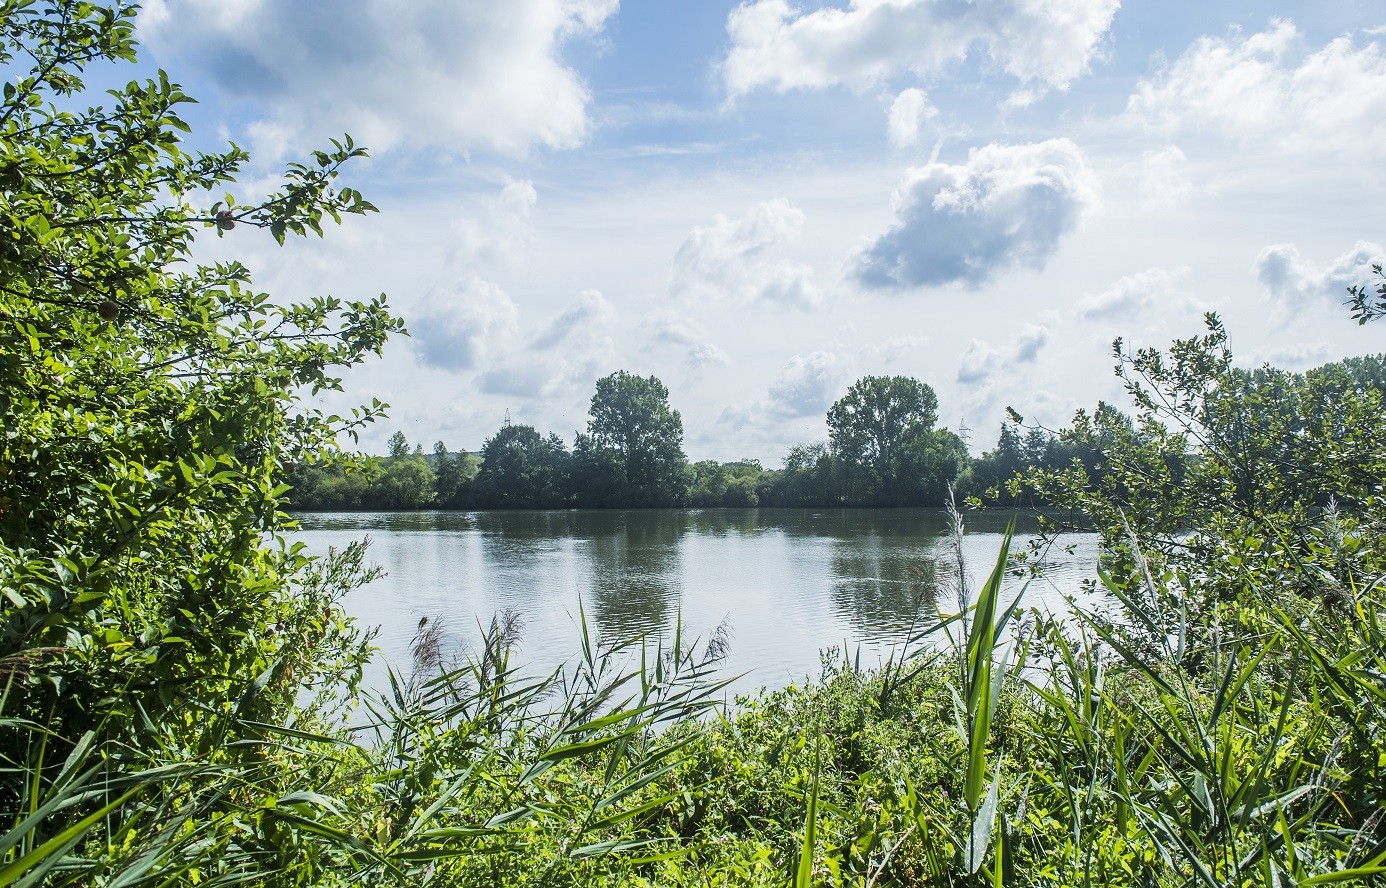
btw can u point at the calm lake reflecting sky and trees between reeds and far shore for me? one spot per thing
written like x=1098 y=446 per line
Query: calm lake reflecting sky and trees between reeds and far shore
x=787 y=584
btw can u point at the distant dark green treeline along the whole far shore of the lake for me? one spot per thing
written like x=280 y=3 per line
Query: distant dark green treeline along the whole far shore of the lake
x=882 y=451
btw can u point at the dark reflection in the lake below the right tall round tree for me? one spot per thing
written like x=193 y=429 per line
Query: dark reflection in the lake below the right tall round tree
x=885 y=588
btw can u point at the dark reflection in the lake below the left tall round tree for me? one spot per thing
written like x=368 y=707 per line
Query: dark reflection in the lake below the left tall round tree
x=635 y=573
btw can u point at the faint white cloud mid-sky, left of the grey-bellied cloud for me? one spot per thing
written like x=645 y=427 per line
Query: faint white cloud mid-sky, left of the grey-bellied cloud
x=742 y=260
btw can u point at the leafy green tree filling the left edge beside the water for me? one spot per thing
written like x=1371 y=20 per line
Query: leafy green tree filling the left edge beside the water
x=149 y=404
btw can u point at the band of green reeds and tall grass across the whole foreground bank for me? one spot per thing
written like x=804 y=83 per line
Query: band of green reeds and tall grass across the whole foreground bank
x=1169 y=747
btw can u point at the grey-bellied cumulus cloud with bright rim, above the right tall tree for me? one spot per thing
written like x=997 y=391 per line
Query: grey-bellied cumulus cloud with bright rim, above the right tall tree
x=1008 y=206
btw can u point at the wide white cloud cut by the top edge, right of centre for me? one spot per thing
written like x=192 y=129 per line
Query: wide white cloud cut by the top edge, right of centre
x=782 y=48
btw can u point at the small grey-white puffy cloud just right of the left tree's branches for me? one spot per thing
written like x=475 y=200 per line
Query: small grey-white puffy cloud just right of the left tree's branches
x=455 y=328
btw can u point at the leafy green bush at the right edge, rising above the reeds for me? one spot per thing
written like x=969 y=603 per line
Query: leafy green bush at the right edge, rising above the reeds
x=1251 y=458
